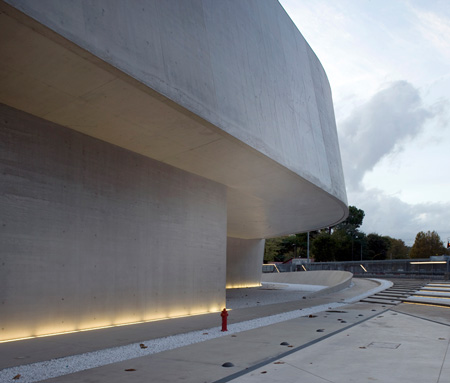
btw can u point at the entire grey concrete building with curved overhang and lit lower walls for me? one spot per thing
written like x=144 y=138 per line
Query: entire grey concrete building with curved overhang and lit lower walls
x=147 y=148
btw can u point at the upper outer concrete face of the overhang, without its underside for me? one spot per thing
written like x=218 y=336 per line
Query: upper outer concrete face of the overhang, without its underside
x=241 y=65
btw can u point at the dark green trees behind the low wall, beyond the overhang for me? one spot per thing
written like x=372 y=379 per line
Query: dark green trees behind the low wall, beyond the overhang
x=346 y=242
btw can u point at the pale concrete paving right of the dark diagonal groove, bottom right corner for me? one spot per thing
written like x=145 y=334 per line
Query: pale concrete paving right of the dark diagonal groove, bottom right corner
x=391 y=347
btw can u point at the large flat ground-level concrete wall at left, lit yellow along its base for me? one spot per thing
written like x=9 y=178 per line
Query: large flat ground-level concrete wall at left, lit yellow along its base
x=92 y=234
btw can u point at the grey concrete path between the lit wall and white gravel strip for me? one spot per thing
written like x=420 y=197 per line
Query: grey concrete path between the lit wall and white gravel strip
x=46 y=348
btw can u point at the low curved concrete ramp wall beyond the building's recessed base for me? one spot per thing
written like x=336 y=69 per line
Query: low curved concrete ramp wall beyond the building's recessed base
x=335 y=280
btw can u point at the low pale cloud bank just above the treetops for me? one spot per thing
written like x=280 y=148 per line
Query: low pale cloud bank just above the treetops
x=388 y=215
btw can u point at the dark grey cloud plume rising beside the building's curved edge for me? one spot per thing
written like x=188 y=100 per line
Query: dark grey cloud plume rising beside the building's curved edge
x=380 y=127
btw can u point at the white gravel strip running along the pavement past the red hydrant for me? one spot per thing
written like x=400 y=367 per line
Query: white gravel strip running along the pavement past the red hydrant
x=57 y=367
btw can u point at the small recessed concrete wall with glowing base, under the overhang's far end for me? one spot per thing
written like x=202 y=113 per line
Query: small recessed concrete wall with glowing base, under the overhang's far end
x=244 y=262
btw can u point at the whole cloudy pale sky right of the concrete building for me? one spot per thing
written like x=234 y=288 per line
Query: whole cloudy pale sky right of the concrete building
x=388 y=64
